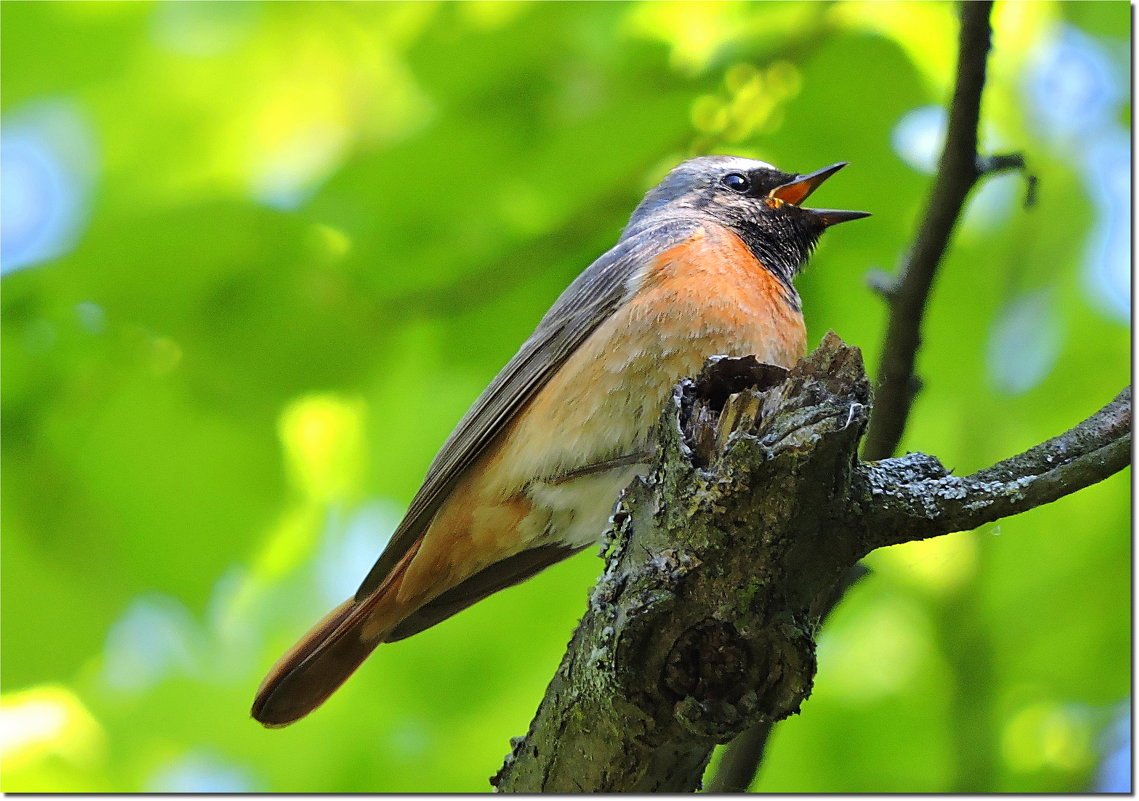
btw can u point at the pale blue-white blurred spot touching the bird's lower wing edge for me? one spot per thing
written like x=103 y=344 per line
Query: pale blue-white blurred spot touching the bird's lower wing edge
x=349 y=550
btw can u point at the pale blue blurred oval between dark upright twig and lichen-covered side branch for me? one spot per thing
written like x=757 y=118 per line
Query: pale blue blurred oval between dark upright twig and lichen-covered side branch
x=1025 y=344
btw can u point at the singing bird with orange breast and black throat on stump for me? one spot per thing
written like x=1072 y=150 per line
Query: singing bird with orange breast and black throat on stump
x=531 y=473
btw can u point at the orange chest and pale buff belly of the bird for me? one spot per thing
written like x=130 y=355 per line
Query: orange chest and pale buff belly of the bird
x=704 y=298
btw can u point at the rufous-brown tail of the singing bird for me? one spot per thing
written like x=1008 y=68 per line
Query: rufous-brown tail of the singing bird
x=325 y=658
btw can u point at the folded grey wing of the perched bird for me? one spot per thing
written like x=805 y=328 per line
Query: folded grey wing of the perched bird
x=586 y=304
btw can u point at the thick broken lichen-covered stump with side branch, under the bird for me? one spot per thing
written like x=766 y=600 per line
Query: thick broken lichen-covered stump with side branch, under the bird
x=723 y=561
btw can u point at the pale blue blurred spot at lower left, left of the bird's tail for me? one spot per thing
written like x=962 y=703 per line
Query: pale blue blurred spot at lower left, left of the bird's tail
x=154 y=637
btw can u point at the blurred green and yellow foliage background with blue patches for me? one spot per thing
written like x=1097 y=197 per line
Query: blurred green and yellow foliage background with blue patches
x=259 y=259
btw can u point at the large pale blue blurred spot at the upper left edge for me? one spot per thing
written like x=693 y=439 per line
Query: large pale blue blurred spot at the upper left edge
x=46 y=167
